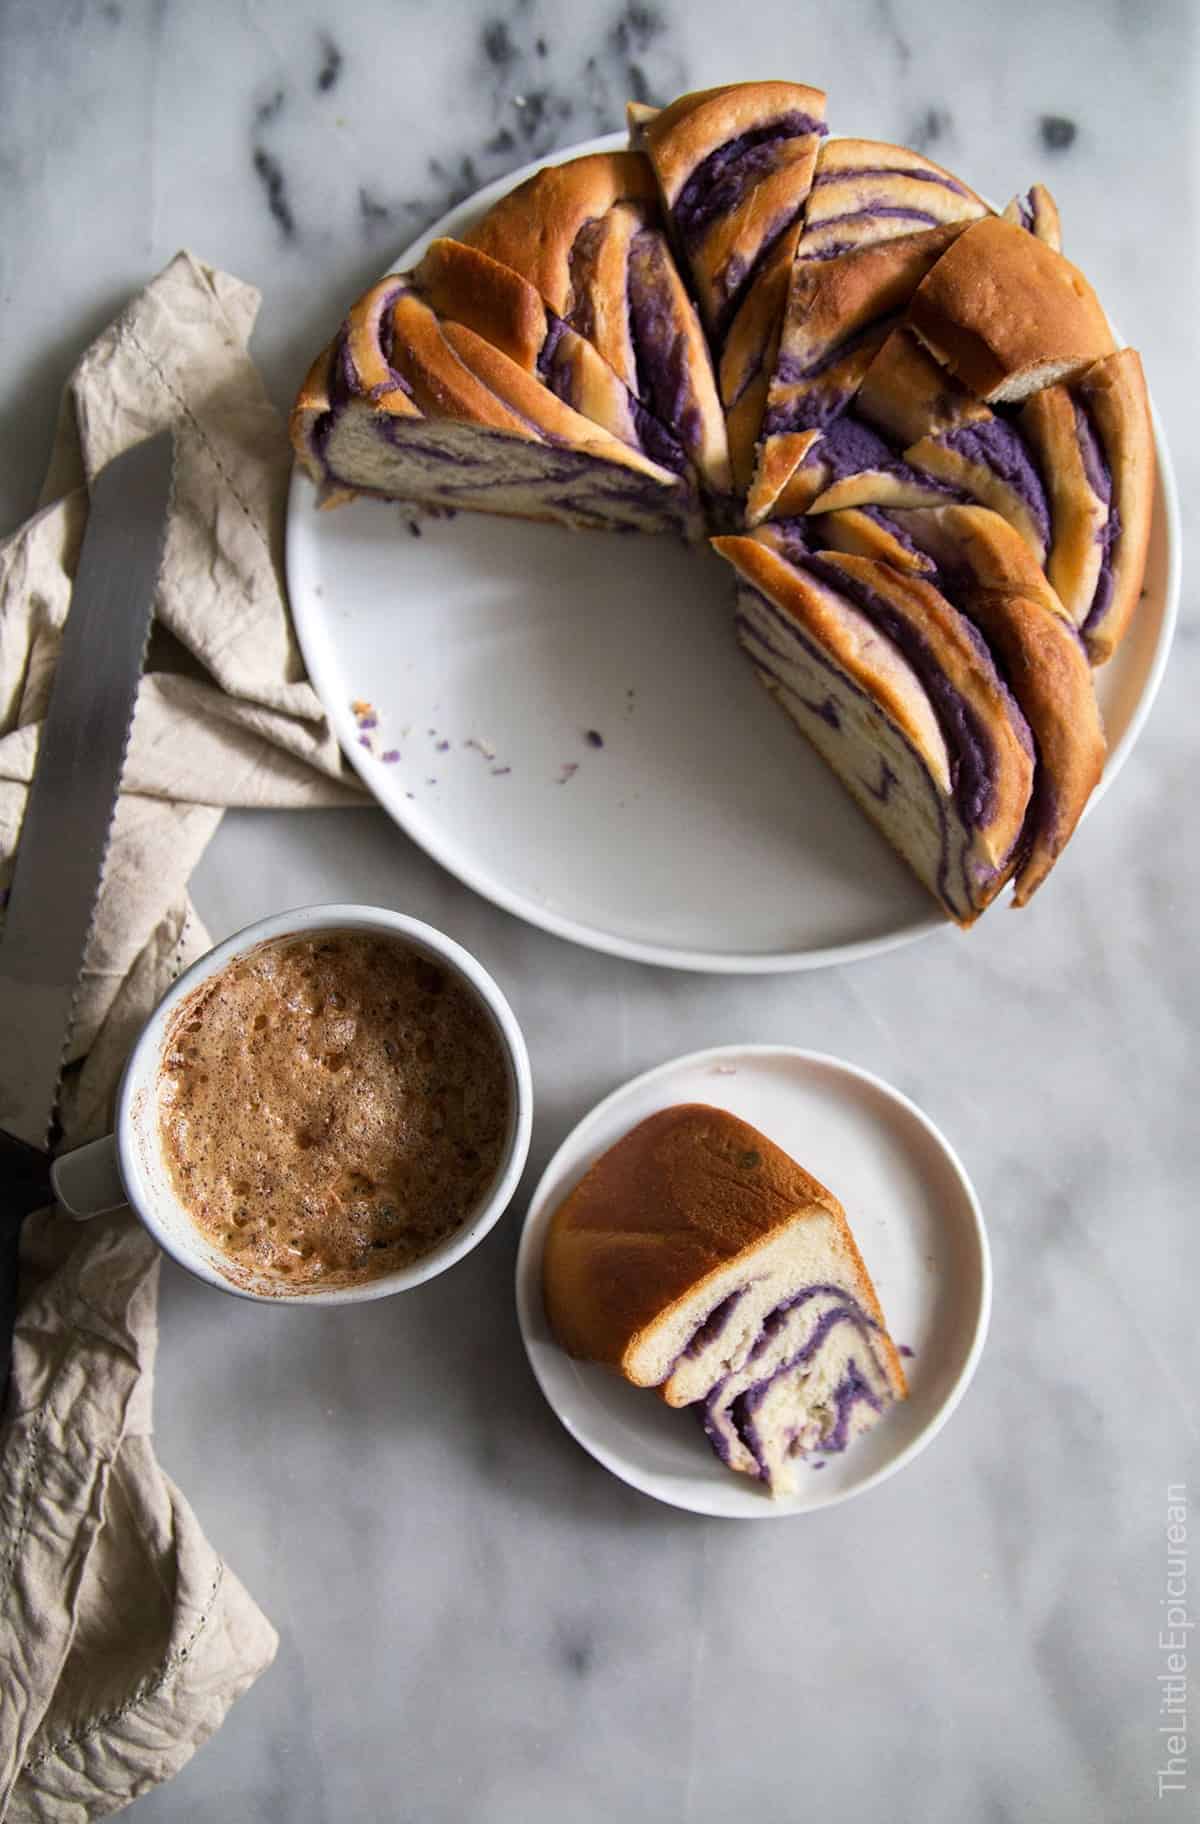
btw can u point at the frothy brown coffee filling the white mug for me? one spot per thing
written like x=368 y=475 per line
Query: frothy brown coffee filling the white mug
x=333 y=1106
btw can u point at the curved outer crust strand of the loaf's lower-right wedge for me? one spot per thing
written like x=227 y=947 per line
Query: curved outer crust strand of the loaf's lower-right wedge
x=988 y=570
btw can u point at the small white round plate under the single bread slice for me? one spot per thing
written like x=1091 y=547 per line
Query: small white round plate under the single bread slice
x=915 y=1218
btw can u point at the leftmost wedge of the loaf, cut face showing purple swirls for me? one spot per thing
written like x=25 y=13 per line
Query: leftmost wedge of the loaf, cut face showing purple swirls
x=415 y=408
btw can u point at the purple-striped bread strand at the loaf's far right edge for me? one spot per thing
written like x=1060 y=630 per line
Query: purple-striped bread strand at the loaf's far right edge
x=1097 y=450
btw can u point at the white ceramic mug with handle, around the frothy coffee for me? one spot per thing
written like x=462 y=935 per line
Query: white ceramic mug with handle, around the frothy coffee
x=129 y=1166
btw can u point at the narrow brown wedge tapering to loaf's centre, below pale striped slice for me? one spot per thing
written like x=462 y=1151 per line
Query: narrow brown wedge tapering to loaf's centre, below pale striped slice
x=838 y=315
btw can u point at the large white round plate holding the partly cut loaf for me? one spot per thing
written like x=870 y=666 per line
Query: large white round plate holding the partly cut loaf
x=703 y=833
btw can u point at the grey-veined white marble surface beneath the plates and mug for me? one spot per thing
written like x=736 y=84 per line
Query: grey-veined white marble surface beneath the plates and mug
x=477 y=1622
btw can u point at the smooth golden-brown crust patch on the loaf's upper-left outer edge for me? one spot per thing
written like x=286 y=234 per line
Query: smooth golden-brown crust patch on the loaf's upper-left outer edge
x=535 y=227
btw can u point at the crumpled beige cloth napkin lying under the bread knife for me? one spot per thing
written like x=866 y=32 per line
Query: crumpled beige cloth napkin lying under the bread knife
x=123 y=1635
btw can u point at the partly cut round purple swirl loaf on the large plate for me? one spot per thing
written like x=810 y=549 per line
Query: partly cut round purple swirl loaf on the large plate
x=915 y=409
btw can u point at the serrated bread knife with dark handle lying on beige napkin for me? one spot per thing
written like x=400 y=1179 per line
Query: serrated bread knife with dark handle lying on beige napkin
x=68 y=820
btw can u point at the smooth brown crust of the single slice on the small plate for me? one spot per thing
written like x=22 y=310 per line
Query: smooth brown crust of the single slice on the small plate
x=681 y=1197
